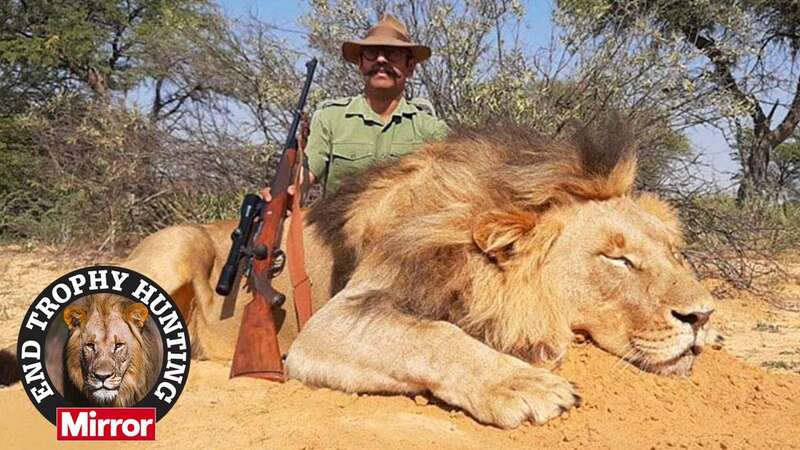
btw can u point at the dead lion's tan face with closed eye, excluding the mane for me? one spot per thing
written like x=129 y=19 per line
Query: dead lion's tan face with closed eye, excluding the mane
x=618 y=264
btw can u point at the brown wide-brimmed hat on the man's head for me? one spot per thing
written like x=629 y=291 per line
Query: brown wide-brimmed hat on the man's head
x=389 y=32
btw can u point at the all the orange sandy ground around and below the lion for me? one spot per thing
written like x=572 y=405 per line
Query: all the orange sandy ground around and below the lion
x=745 y=394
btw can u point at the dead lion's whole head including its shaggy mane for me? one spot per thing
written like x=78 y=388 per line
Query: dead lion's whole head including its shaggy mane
x=523 y=242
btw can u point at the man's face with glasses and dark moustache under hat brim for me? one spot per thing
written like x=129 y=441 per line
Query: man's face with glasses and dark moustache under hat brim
x=385 y=69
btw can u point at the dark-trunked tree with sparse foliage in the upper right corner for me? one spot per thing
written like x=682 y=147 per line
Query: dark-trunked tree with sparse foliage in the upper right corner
x=742 y=55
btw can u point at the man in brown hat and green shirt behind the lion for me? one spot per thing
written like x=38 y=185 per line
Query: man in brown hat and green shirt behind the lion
x=348 y=135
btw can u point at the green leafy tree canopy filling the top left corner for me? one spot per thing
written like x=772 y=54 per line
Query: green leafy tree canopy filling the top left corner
x=58 y=46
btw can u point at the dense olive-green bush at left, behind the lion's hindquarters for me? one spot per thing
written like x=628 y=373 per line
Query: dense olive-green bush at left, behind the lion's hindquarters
x=95 y=174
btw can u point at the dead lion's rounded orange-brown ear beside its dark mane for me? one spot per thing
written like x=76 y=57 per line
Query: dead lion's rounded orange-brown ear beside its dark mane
x=495 y=232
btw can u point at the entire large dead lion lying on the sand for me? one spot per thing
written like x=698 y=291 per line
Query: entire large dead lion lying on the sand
x=451 y=268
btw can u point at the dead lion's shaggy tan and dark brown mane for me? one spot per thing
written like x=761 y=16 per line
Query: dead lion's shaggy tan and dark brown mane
x=411 y=225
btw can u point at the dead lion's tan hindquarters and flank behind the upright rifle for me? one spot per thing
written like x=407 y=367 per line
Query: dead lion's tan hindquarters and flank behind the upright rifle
x=197 y=254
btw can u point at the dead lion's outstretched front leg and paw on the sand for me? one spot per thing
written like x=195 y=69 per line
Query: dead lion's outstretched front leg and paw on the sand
x=359 y=343
